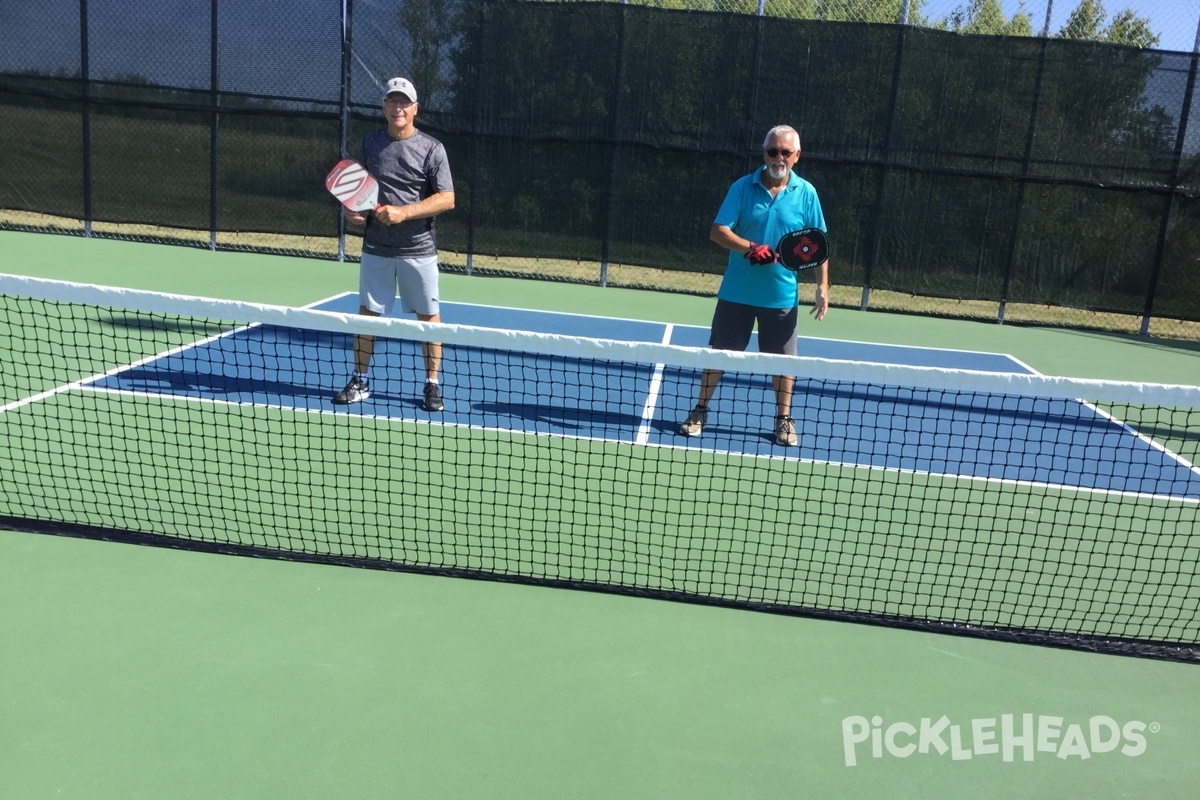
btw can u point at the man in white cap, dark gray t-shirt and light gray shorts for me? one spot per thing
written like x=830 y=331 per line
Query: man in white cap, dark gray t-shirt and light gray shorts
x=400 y=249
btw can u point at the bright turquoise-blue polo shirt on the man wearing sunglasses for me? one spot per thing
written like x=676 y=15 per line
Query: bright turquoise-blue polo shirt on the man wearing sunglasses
x=752 y=213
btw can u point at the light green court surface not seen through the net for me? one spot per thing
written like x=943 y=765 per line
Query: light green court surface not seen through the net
x=139 y=672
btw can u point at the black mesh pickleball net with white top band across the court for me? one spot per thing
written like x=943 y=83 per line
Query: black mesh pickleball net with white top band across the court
x=1013 y=507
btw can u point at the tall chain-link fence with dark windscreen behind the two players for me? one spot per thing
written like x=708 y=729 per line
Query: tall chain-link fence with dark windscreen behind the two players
x=1018 y=178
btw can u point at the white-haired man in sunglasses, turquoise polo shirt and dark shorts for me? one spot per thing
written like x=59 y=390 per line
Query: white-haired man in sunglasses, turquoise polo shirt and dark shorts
x=761 y=208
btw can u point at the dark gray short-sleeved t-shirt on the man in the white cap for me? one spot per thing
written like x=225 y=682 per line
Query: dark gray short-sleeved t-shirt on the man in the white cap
x=409 y=171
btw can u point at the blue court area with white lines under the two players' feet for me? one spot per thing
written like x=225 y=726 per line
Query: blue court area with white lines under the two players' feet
x=1051 y=443
